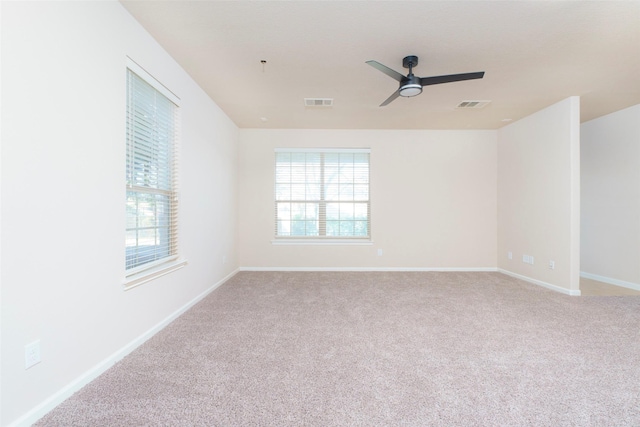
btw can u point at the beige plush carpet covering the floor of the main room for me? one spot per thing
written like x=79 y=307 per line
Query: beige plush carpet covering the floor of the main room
x=377 y=349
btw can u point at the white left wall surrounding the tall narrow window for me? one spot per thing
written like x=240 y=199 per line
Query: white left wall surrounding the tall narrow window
x=63 y=216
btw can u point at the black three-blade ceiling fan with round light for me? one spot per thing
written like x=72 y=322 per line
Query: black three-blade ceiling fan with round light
x=411 y=85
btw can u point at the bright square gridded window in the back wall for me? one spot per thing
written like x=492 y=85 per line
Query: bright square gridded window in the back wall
x=322 y=194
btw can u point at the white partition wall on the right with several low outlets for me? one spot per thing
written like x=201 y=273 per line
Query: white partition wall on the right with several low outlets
x=539 y=196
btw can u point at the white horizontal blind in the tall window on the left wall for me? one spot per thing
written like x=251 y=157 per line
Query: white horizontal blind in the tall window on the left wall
x=151 y=176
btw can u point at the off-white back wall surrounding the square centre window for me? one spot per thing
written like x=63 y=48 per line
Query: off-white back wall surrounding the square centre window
x=433 y=200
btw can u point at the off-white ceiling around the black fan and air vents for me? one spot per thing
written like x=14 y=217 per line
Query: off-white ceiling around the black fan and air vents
x=534 y=53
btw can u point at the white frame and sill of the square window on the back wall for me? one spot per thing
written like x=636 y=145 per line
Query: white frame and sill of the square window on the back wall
x=321 y=239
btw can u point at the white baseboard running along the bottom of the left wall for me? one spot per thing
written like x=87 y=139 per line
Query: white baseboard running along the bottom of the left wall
x=50 y=403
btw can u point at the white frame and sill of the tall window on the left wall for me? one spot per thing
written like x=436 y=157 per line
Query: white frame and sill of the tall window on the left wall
x=148 y=271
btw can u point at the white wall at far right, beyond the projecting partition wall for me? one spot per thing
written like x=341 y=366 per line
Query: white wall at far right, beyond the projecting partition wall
x=610 y=162
